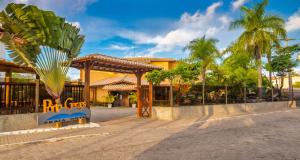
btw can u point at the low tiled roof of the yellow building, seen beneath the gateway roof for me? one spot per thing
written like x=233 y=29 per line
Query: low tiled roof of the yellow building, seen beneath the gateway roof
x=127 y=79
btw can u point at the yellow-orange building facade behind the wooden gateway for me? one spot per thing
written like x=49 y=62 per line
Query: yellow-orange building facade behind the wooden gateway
x=121 y=85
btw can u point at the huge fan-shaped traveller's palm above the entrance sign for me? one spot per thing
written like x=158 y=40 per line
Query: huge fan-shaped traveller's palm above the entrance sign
x=41 y=40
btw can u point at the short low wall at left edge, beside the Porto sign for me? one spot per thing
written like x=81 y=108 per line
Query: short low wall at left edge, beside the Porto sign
x=18 y=122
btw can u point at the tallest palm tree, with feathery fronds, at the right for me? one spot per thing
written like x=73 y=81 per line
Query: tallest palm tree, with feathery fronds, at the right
x=260 y=30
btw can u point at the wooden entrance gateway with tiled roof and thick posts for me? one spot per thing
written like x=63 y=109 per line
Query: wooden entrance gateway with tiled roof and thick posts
x=101 y=62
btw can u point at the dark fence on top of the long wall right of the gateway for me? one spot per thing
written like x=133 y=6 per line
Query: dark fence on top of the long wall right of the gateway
x=224 y=95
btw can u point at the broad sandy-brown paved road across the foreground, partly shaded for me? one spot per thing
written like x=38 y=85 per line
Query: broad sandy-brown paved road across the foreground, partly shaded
x=266 y=136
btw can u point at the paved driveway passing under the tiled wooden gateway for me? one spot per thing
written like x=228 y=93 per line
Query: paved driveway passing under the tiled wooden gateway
x=101 y=114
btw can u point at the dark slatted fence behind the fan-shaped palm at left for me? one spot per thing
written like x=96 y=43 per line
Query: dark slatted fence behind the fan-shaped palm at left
x=18 y=98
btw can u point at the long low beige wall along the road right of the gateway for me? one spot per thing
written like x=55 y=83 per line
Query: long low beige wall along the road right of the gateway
x=217 y=111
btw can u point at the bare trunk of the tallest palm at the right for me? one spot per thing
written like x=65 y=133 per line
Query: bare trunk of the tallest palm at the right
x=259 y=70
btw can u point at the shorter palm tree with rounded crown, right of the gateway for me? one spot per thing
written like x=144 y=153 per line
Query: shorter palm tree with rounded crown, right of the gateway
x=203 y=51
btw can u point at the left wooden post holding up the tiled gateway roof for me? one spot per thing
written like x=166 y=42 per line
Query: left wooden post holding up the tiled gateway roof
x=87 y=69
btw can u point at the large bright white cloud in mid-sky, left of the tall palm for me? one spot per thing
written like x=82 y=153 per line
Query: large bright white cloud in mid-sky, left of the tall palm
x=190 y=26
